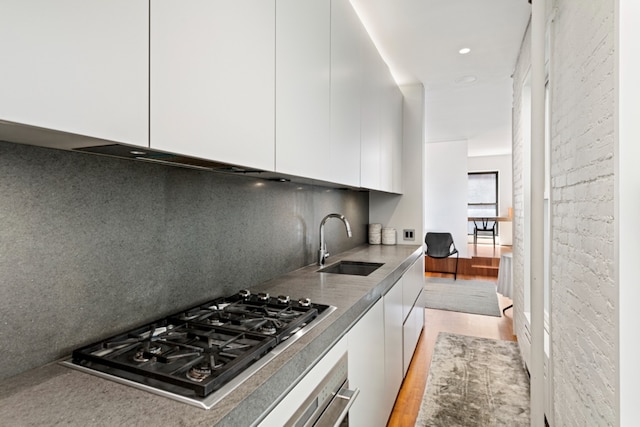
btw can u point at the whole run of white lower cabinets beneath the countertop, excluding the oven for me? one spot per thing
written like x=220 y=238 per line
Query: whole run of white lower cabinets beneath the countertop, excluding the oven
x=379 y=346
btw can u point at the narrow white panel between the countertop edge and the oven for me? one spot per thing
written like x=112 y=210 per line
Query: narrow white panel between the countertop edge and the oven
x=294 y=400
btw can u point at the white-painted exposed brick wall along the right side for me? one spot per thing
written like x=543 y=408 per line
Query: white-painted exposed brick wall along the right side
x=584 y=294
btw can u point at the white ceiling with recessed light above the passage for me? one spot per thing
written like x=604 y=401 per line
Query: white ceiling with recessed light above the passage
x=420 y=40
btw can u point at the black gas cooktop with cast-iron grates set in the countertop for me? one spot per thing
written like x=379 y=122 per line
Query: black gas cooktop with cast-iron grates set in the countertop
x=199 y=355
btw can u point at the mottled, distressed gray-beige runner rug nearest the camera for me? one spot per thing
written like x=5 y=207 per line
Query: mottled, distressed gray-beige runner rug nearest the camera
x=475 y=382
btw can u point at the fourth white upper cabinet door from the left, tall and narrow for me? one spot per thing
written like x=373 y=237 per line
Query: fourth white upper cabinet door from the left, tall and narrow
x=347 y=34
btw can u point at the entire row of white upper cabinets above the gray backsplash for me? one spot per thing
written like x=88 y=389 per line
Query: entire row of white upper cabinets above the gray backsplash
x=290 y=86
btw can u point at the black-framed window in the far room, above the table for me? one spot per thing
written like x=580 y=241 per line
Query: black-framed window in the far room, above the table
x=483 y=195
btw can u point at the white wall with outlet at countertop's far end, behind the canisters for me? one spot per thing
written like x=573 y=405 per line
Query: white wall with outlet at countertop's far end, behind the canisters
x=406 y=211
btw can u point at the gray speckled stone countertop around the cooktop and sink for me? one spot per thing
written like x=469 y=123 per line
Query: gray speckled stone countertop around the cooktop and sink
x=57 y=395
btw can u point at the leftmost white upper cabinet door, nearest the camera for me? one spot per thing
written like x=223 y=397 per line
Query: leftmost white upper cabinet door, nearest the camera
x=78 y=66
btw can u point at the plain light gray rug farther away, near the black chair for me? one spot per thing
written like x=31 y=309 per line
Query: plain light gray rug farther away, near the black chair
x=466 y=296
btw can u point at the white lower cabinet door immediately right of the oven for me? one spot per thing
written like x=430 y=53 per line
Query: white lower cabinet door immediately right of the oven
x=366 y=368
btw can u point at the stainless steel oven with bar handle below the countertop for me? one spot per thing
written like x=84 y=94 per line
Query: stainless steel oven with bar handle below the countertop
x=329 y=403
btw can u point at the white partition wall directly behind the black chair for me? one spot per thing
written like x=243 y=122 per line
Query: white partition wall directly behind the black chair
x=446 y=190
